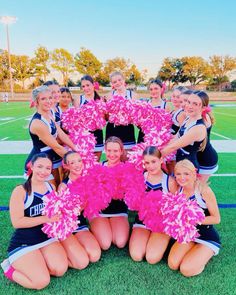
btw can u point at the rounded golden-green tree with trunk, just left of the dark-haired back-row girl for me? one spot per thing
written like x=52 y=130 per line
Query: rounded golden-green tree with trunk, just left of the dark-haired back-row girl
x=63 y=61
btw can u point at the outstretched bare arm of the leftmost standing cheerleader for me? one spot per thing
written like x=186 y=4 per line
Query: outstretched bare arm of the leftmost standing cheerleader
x=41 y=130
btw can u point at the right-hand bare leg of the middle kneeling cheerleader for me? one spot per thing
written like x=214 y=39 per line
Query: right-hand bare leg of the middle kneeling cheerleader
x=120 y=230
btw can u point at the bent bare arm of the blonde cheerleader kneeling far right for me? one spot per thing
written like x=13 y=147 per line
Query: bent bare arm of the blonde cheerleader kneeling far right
x=210 y=199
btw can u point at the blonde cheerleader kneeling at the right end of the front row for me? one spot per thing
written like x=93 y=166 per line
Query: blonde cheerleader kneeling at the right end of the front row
x=191 y=258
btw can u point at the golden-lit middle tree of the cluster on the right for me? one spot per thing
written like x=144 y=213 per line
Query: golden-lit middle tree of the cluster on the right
x=196 y=69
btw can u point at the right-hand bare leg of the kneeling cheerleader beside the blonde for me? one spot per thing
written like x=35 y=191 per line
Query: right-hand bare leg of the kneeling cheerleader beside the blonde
x=156 y=247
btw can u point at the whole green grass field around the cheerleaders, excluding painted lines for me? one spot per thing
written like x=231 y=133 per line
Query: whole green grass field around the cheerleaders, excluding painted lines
x=116 y=273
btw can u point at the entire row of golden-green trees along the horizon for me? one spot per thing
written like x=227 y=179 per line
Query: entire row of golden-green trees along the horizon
x=191 y=69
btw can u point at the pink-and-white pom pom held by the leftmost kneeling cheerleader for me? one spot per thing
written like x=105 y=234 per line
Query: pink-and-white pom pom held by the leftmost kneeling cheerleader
x=67 y=206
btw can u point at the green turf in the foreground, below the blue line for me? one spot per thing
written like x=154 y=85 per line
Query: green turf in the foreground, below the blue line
x=116 y=273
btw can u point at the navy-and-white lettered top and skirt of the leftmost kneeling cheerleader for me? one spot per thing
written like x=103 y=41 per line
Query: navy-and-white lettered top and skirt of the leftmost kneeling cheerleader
x=24 y=237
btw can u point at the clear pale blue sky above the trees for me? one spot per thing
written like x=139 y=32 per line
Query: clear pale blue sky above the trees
x=143 y=31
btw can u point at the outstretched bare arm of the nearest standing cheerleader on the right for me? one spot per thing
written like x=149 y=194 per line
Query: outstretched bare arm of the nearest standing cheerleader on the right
x=196 y=133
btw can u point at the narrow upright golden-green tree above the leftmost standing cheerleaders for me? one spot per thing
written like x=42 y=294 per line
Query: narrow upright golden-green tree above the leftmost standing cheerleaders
x=40 y=63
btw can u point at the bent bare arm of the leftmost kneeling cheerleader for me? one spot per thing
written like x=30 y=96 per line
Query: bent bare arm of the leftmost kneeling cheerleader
x=17 y=211
